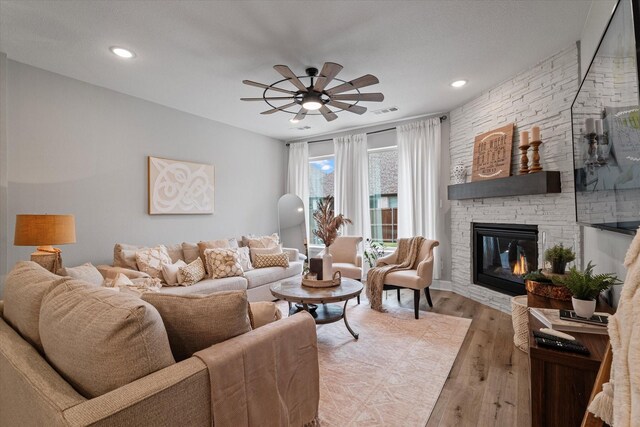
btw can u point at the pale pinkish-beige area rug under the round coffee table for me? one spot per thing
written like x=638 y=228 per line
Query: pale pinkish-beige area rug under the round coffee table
x=393 y=374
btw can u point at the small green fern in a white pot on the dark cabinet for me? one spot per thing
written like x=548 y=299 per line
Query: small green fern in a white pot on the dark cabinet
x=585 y=288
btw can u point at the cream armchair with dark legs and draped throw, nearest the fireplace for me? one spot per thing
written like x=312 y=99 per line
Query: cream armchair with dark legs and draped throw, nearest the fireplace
x=417 y=279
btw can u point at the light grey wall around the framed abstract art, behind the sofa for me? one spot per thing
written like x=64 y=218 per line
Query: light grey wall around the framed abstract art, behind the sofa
x=81 y=149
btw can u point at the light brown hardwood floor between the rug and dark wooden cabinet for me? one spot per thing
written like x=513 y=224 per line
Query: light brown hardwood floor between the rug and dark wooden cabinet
x=489 y=382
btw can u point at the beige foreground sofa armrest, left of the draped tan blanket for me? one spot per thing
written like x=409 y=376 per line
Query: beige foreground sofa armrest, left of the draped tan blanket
x=176 y=395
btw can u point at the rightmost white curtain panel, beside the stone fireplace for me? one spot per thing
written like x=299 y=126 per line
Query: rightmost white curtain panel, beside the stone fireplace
x=419 y=181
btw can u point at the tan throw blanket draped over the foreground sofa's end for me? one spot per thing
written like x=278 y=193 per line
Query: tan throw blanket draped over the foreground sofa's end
x=268 y=377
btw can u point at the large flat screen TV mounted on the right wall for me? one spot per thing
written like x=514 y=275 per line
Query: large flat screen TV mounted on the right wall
x=606 y=128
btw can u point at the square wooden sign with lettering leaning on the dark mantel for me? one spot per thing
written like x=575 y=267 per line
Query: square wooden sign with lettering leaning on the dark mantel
x=492 y=154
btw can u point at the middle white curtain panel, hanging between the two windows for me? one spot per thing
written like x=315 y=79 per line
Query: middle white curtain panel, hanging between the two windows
x=352 y=183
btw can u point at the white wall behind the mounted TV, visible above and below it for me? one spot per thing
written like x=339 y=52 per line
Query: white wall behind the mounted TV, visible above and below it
x=605 y=248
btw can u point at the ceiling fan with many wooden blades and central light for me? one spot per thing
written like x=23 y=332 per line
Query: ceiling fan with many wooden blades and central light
x=315 y=96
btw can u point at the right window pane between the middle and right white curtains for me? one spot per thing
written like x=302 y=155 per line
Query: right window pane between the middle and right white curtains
x=383 y=195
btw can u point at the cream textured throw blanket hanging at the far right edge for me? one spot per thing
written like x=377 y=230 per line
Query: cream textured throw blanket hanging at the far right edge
x=624 y=330
